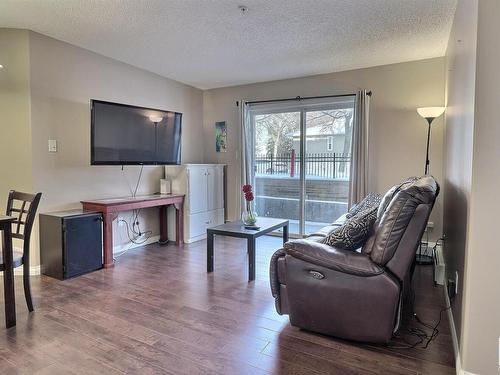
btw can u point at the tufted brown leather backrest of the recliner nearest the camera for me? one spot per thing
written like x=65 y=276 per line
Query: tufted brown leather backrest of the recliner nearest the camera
x=401 y=221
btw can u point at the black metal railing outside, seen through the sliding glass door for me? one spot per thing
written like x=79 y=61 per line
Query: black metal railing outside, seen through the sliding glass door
x=324 y=165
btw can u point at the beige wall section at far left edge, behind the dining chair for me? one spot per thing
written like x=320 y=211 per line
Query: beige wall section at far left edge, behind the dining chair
x=15 y=144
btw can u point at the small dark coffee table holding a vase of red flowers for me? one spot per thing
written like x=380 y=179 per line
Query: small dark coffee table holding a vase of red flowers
x=237 y=229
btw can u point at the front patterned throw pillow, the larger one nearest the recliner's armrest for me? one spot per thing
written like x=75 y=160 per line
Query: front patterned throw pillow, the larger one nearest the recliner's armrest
x=353 y=234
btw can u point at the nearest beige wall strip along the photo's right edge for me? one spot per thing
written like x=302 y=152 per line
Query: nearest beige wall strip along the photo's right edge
x=481 y=327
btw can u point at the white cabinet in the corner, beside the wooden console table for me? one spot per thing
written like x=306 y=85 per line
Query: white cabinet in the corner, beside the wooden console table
x=203 y=185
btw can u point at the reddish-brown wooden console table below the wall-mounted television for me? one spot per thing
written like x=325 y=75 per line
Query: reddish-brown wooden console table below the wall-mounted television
x=111 y=207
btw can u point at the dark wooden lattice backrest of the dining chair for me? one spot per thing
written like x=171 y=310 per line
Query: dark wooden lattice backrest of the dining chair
x=22 y=206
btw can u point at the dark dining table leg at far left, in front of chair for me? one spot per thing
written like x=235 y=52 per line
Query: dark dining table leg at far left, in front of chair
x=8 y=279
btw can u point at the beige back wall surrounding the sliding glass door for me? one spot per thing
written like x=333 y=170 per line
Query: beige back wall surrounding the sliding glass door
x=398 y=134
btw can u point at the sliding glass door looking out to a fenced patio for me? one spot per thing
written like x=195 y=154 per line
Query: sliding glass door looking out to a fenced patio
x=302 y=160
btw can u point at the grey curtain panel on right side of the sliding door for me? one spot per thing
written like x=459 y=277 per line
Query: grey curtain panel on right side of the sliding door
x=359 y=161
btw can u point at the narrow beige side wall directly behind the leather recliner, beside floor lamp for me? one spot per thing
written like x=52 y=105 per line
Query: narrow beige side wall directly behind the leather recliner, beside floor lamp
x=459 y=129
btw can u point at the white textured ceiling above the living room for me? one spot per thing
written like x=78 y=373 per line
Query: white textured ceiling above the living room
x=209 y=43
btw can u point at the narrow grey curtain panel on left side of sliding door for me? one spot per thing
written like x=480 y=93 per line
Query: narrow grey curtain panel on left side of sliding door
x=246 y=146
